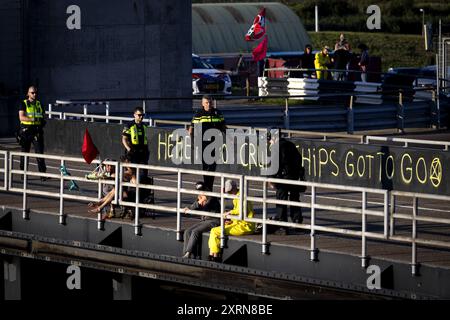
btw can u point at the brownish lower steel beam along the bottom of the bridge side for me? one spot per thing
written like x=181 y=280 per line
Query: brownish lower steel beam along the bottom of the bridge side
x=185 y=273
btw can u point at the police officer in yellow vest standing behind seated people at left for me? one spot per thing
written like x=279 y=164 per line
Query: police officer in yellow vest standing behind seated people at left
x=134 y=139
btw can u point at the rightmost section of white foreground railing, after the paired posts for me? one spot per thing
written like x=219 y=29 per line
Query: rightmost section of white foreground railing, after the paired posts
x=414 y=217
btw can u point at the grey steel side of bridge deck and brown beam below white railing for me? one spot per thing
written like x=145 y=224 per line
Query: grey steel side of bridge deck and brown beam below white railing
x=159 y=254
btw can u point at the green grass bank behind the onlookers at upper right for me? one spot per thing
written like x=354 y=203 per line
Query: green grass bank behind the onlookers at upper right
x=395 y=50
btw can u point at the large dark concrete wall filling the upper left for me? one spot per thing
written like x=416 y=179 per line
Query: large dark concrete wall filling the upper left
x=124 y=49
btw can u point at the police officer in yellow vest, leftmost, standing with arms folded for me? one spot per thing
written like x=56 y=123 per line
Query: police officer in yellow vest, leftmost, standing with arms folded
x=31 y=116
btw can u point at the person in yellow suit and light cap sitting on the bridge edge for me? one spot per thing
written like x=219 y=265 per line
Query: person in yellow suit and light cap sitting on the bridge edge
x=233 y=227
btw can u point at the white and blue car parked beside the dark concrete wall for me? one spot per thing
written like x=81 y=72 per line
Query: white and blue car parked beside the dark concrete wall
x=208 y=80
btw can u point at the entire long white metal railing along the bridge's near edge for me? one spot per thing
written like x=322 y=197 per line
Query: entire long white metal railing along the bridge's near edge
x=388 y=212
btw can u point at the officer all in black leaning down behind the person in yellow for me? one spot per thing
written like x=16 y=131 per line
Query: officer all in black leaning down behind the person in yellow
x=290 y=167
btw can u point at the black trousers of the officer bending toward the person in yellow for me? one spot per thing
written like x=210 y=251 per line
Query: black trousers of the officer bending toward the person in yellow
x=291 y=193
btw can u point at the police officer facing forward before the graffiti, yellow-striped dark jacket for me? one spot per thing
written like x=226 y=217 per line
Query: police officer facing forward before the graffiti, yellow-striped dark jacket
x=208 y=118
